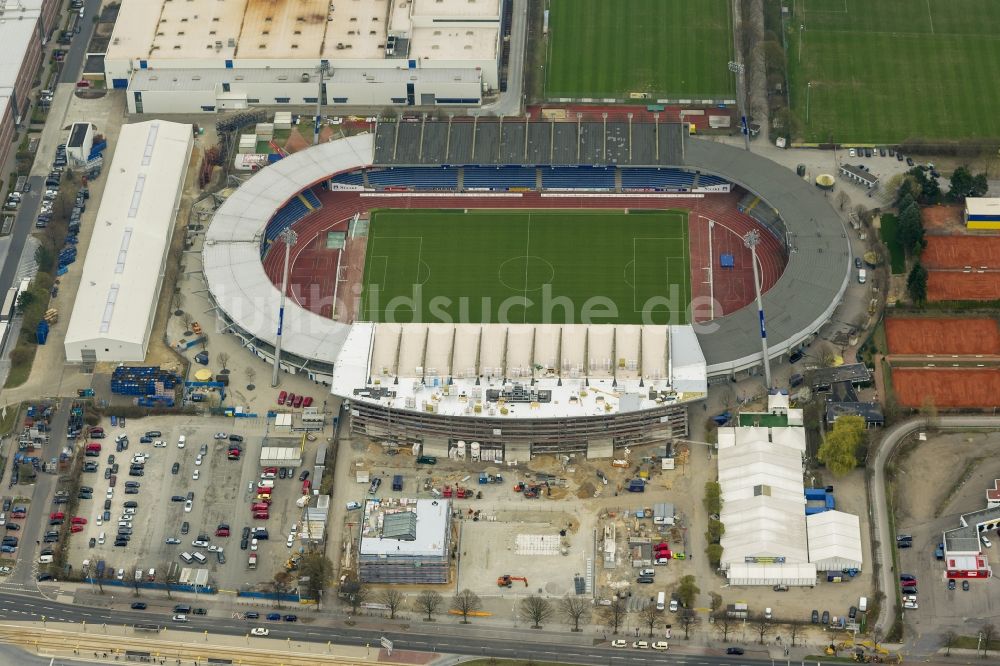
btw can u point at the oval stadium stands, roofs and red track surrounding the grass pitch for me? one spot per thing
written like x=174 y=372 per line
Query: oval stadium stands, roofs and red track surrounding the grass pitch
x=523 y=387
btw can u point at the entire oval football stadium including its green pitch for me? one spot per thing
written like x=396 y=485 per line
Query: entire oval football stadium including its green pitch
x=526 y=286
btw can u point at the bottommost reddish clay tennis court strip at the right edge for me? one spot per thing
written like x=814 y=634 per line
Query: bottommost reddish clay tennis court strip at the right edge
x=948 y=388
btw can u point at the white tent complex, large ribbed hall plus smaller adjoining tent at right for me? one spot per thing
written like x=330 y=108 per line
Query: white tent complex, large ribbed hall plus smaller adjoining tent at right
x=769 y=538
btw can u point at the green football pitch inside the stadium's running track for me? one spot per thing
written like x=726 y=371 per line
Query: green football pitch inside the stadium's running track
x=527 y=266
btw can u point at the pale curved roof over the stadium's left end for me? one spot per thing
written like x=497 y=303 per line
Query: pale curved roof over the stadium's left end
x=231 y=253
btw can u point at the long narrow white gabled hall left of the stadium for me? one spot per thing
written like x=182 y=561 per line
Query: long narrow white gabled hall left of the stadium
x=123 y=271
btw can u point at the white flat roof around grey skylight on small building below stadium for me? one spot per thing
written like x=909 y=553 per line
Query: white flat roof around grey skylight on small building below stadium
x=431 y=528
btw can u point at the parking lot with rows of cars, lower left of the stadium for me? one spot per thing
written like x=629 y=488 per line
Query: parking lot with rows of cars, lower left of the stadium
x=221 y=494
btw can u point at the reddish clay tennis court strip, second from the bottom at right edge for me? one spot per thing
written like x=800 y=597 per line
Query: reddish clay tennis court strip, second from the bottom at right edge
x=911 y=335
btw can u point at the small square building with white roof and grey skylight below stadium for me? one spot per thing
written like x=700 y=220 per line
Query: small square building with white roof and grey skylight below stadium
x=405 y=541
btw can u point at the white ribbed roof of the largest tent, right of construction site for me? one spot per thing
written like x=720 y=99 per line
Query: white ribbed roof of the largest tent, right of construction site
x=763 y=498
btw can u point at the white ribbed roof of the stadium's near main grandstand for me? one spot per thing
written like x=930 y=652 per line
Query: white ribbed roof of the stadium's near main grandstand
x=449 y=368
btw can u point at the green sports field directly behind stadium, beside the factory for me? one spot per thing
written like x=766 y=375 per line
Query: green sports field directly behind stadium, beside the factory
x=666 y=48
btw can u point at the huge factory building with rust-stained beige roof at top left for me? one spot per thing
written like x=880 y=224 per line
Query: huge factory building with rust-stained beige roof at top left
x=211 y=55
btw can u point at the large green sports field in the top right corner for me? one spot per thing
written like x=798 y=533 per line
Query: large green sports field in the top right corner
x=883 y=71
